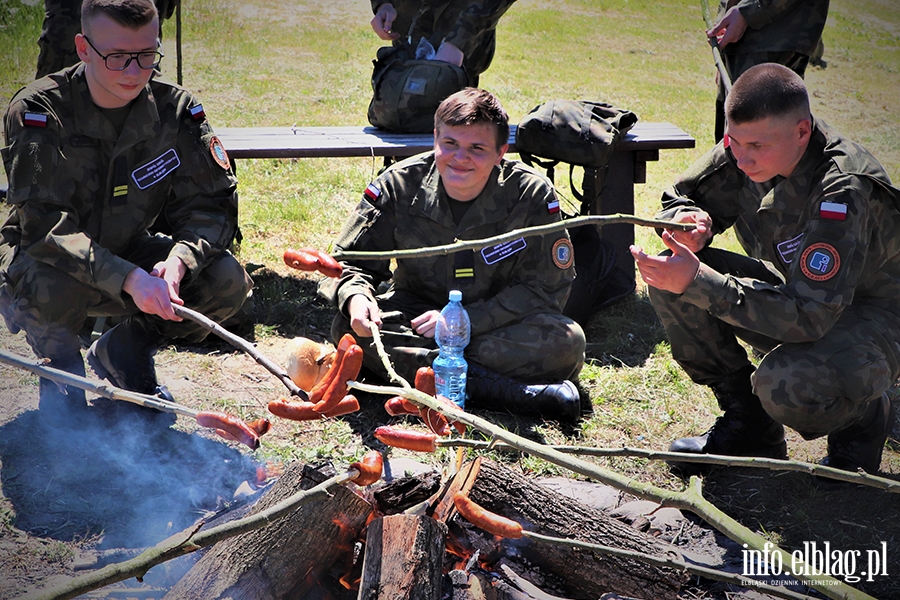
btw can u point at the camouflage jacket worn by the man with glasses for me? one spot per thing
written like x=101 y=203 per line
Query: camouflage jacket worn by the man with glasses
x=80 y=194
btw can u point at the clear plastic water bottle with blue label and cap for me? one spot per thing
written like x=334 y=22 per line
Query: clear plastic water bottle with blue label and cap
x=452 y=336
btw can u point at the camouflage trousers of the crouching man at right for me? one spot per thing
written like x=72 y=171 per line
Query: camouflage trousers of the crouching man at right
x=815 y=387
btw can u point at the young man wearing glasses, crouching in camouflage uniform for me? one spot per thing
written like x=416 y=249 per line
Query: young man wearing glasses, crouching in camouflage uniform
x=98 y=156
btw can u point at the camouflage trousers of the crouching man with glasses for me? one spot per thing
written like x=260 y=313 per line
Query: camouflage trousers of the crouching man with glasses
x=52 y=307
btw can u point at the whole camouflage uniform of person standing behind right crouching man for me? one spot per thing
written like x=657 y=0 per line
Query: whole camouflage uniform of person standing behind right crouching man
x=786 y=32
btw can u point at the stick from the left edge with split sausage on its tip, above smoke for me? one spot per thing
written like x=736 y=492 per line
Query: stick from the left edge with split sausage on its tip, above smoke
x=243 y=433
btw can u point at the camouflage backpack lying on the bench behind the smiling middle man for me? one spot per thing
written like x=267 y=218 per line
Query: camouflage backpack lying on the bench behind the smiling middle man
x=578 y=132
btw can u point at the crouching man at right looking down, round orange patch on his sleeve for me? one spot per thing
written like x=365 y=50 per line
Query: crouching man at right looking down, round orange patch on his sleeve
x=818 y=297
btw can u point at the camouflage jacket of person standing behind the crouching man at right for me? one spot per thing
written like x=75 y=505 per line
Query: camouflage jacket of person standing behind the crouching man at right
x=778 y=25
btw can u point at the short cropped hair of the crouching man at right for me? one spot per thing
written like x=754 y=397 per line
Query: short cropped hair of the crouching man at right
x=766 y=90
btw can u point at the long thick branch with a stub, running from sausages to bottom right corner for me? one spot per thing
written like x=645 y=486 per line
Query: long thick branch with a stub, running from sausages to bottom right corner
x=691 y=499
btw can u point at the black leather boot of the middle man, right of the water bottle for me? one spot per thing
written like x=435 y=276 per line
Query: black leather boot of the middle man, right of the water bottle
x=489 y=390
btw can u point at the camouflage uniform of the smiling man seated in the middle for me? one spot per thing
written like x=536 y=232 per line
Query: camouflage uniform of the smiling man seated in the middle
x=514 y=292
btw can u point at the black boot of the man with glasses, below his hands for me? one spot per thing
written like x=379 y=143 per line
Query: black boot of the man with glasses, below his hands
x=124 y=356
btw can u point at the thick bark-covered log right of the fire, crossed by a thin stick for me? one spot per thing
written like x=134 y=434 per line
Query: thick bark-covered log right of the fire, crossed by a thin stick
x=584 y=574
